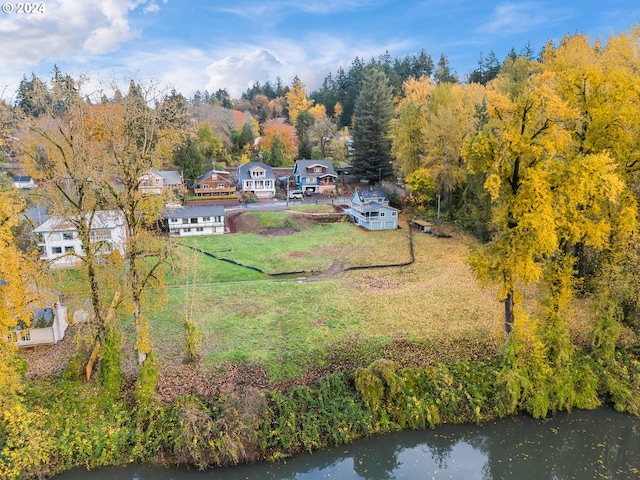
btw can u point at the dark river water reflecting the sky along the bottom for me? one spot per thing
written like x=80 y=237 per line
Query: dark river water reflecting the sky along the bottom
x=581 y=445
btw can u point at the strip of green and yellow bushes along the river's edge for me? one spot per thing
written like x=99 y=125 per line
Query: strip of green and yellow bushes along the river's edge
x=69 y=424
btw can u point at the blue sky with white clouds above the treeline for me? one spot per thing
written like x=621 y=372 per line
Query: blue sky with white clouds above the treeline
x=198 y=45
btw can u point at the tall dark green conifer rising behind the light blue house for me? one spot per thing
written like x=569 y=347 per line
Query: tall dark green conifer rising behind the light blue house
x=371 y=140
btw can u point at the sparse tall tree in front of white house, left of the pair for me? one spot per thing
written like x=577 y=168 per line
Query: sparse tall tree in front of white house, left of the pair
x=62 y=147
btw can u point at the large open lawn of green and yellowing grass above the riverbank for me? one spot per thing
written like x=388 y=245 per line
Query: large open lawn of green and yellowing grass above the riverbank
x=293 y=325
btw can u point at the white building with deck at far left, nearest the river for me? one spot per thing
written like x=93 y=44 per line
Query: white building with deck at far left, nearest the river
x=48 y=326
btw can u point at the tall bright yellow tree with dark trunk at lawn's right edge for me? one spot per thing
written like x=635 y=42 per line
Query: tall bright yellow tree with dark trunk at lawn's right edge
x=543 y=197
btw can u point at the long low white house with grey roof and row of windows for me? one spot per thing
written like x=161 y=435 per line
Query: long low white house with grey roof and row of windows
x=190 y=221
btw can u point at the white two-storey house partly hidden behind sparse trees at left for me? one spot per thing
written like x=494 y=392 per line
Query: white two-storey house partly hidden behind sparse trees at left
x=59 y=242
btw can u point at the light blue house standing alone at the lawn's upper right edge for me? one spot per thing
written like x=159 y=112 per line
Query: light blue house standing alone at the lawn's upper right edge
x=370 y=209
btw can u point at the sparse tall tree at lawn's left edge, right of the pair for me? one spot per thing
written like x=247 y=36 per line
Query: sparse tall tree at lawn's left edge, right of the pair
x=135 y=141
